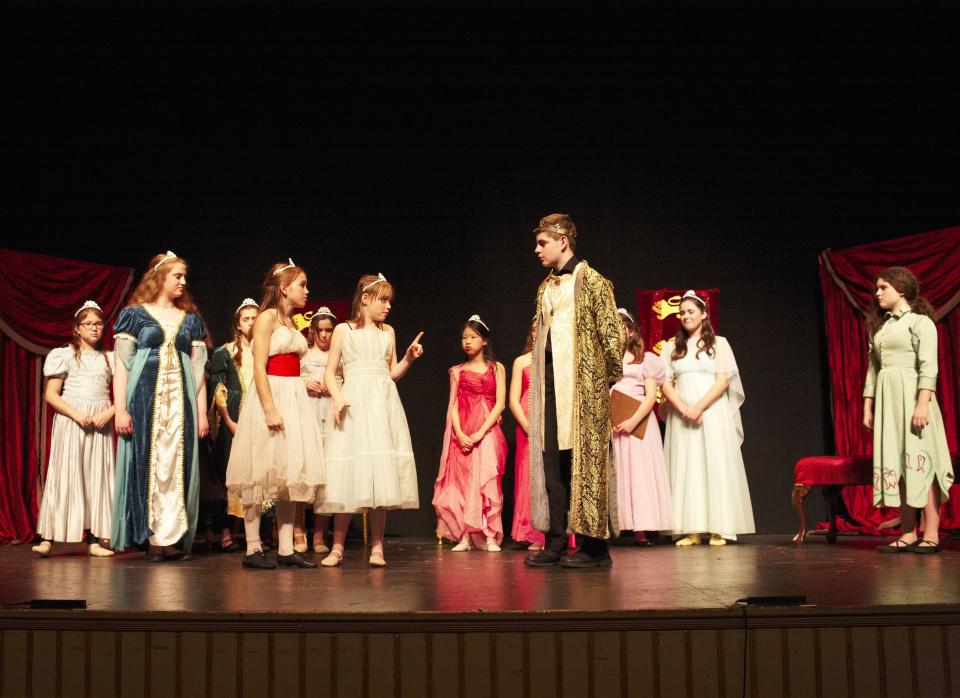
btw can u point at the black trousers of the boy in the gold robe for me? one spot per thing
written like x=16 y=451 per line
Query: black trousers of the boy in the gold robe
x=556 y=475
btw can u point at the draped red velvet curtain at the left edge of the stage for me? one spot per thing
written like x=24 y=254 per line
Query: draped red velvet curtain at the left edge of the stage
x=40 y=295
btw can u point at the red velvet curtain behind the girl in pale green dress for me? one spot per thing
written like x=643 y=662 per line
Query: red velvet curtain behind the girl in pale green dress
x=846 y=278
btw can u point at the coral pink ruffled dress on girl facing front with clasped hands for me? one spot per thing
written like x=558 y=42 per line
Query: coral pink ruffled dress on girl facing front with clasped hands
x=468 y=494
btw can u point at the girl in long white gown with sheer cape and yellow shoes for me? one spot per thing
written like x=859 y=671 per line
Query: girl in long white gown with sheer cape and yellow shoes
x=704 y=431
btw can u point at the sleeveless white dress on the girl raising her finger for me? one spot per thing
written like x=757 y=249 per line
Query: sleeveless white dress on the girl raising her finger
x=370 y=460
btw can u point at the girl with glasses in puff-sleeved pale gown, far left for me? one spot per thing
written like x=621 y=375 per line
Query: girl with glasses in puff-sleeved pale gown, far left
x=78 y=491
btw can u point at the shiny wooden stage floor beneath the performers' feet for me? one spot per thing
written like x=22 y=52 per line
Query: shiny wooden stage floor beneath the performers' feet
x=424 y=578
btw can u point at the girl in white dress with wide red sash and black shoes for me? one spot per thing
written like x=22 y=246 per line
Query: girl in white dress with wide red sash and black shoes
x=277 y=453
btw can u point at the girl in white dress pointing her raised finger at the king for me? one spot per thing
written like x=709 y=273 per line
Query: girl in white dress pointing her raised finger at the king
x=370 y=465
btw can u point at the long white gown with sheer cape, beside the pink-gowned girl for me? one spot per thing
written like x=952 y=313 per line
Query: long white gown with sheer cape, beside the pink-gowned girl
x=707 y=476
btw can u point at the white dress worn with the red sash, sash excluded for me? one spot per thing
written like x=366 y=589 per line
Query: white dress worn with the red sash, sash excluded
x=278 y=465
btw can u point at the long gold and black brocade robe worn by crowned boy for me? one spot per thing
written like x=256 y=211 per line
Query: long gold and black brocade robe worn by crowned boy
x=598 y=344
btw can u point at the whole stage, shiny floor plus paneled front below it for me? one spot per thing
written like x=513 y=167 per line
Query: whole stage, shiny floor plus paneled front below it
x=662 y=622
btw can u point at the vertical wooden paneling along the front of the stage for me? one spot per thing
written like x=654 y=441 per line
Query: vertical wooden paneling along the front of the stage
x=888 y=661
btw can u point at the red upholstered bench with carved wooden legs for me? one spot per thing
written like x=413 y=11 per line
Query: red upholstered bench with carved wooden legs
x=832 y=473
